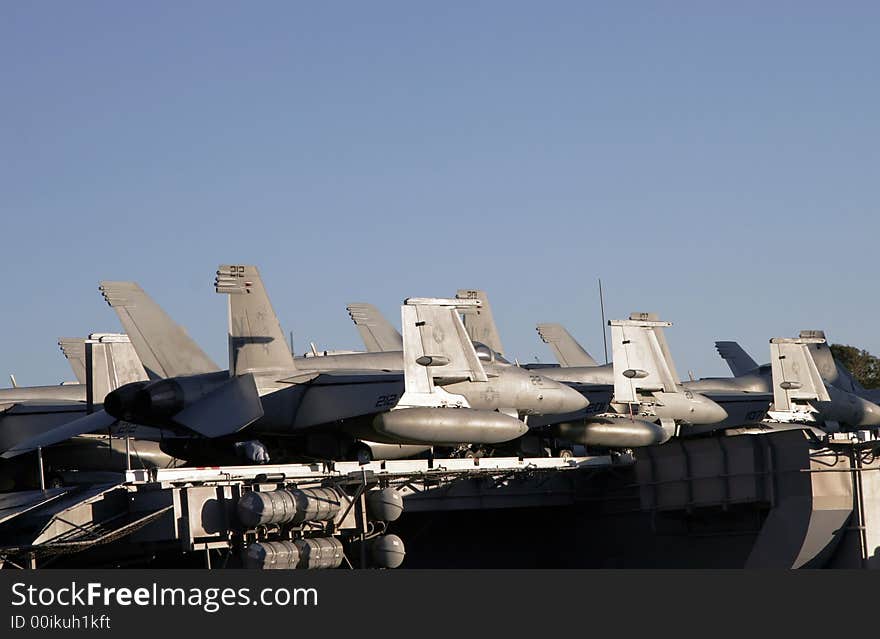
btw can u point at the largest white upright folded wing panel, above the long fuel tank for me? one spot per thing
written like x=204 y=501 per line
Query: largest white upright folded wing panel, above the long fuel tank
x=436 y=346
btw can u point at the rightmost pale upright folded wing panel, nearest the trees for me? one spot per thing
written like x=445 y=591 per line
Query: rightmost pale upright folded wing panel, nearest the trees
x=795 y=375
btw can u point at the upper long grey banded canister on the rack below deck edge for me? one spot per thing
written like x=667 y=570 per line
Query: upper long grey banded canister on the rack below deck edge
x=288 y=506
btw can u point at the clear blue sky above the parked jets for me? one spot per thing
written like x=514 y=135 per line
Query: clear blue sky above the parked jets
x=715 y=162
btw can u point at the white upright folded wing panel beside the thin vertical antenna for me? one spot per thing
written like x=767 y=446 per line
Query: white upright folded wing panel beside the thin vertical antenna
x=640 y=358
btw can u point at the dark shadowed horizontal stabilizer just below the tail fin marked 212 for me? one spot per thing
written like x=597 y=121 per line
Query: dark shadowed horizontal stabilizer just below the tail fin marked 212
x=225 y=410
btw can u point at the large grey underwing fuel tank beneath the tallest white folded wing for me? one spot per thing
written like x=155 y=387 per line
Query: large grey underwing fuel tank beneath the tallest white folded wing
x=447 y=426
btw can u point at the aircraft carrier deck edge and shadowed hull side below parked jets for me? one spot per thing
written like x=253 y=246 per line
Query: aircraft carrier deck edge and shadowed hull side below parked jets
x=783 y=499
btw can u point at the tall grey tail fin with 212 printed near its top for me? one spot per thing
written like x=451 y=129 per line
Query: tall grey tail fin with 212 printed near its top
x=256 y=341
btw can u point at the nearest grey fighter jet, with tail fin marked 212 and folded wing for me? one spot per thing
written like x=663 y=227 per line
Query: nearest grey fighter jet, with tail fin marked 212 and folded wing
x=270 y=396
